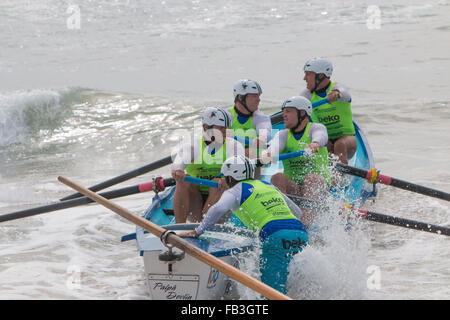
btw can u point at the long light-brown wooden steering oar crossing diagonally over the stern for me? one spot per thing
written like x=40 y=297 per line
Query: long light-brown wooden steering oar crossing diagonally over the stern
x=182 y=244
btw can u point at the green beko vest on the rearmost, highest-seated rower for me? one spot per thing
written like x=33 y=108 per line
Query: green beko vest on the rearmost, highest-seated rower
x=337 y=117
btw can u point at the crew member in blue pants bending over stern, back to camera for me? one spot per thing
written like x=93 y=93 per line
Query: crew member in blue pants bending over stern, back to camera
x=264 y=210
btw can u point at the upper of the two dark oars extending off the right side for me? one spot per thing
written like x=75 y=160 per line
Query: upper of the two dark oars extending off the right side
x=372 y=176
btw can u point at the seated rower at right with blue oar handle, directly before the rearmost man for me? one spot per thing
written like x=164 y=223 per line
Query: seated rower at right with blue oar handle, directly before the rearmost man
x=308 y=175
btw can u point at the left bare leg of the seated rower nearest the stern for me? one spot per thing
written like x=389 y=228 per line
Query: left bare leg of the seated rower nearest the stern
x=187 y=201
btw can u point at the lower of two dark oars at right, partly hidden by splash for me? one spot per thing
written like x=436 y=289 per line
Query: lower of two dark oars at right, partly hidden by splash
x=378 y=217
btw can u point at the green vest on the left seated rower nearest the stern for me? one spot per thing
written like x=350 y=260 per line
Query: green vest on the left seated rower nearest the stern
x=207 y=166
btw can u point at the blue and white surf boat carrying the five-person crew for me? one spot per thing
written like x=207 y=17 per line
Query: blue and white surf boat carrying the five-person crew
x=174 y=276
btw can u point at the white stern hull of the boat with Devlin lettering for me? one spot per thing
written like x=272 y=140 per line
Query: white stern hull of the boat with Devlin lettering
x=172 y=275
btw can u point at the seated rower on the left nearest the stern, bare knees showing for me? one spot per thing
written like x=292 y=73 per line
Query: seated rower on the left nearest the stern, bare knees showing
x=202 y=158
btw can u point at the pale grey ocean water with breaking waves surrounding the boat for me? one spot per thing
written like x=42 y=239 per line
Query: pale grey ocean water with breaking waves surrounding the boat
x=93 y=89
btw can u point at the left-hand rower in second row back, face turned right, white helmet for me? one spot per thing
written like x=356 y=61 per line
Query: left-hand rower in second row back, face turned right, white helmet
x=248 y=121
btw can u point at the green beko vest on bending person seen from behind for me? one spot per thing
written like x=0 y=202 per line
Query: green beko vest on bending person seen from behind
x=265 y=204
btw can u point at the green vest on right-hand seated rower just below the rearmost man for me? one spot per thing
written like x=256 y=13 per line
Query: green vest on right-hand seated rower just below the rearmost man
x=297 y=168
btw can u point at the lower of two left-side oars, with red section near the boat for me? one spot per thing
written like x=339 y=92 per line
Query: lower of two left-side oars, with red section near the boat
x=158 y=184
